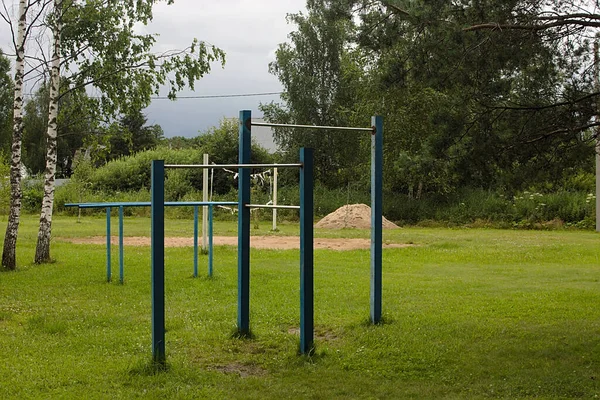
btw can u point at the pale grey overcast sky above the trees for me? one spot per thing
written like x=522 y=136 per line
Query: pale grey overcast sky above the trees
x=249 y=32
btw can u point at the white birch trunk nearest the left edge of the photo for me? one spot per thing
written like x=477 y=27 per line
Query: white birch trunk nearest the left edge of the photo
x=9 y=251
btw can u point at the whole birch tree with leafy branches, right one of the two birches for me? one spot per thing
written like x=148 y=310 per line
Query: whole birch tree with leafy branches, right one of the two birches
x=96 y=46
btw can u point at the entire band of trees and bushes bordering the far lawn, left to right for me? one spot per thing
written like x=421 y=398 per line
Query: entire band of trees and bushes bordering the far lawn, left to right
x=489 y=117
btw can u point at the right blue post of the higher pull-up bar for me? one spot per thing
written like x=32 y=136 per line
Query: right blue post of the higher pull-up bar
x=376 y=216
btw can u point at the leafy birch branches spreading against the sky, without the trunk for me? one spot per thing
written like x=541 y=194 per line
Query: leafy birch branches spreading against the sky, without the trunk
x=118 y=60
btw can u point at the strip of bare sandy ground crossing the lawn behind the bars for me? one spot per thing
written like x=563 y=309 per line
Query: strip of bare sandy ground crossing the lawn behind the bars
x=258 y=242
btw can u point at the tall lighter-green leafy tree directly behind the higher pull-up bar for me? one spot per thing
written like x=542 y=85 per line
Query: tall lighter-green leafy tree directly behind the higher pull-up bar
x=320 y=80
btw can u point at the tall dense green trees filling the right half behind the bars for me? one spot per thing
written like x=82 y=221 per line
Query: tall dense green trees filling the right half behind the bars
x=489 y=94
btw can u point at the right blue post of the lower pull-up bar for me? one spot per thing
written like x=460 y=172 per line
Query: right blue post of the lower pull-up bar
x=306 y=252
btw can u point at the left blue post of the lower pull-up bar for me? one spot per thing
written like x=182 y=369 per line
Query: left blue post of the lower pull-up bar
x=158 y=260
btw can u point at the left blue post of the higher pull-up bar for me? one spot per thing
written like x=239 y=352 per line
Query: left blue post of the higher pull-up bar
x=244 y=224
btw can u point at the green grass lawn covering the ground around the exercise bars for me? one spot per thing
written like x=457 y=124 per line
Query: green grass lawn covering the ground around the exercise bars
x=469 y=313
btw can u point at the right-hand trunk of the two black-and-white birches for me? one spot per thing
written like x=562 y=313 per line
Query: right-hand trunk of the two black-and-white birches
x=42 y=250
